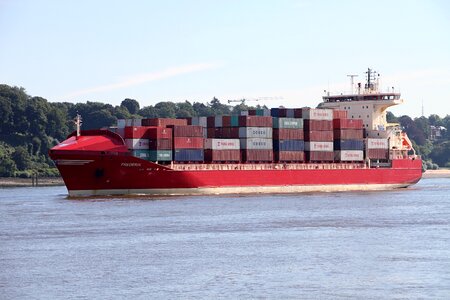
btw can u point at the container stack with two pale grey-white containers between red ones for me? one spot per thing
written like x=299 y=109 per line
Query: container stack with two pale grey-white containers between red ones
x=255 y=133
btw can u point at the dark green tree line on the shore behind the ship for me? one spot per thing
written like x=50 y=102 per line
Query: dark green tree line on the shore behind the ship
x=31 y=125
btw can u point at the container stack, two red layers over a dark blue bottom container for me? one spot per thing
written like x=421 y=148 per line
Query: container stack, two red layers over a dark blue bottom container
x=187 y=143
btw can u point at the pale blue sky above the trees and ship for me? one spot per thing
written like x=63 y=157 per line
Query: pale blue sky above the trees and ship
x=284 y=52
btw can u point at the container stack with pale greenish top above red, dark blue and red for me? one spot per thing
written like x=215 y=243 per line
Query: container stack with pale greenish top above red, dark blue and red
x=288 y=143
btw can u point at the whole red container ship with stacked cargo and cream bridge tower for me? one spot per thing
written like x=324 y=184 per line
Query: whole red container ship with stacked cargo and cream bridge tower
x=343 y=144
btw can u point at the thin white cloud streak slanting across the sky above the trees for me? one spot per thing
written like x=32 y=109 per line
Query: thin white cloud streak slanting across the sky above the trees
x=144 y=78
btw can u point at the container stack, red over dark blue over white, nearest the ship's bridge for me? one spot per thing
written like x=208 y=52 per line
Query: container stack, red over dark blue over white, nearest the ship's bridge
x=348 y=138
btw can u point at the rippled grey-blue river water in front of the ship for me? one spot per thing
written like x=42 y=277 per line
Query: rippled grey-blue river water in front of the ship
x=371 y=245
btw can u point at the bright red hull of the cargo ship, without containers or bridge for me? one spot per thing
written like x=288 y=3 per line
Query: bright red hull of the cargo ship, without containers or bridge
x=90 y=170
